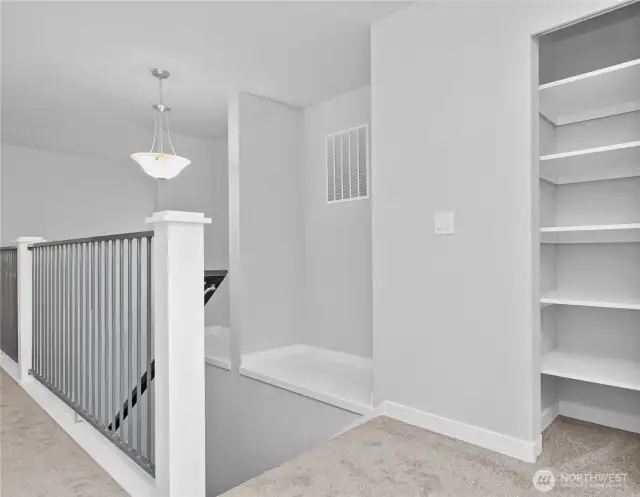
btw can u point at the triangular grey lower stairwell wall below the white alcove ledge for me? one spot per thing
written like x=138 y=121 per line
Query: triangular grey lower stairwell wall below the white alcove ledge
x=253 y=427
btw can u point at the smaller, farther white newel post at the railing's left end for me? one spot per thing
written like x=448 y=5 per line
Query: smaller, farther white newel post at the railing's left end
x=25 y=305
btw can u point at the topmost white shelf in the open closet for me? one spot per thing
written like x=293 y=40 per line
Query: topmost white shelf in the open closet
x=606 y=92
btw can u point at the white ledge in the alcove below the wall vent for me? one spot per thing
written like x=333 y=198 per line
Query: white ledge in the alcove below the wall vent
x=335 y=378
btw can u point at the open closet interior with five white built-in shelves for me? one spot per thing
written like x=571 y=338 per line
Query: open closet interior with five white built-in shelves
x=590 y=220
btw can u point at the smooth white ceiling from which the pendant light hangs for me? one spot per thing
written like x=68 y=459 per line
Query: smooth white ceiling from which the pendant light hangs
x=87 y=62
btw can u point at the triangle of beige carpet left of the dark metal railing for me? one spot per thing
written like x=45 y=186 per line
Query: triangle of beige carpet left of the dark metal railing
x=37 y=458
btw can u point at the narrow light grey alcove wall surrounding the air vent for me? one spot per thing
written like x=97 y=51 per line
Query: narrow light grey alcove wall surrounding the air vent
x=337 y=238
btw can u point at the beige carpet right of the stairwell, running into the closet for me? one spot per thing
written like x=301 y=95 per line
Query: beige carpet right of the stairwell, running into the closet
x=387 y=458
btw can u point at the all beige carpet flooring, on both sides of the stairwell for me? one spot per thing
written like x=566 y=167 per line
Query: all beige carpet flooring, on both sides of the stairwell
x=381 y=458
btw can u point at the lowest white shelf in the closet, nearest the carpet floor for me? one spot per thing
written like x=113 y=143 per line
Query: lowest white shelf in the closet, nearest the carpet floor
x=604 y=371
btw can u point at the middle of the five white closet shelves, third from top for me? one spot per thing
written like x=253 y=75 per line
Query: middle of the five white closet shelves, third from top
x=599 y=233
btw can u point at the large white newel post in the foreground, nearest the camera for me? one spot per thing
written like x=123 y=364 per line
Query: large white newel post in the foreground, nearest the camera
x=178 y=272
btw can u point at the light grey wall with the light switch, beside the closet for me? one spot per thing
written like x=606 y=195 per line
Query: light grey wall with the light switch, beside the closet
x=456 y=319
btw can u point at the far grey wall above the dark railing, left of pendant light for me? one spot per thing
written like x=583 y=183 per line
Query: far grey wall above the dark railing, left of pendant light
x=61 y=195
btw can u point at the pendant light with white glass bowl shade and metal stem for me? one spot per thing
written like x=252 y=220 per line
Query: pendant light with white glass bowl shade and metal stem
x=156 y=163
